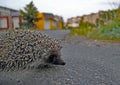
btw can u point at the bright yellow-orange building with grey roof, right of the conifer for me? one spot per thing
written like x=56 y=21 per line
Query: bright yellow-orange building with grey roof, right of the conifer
x=48 y=21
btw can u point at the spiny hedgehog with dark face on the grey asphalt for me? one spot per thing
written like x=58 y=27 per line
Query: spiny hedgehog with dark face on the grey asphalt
x=28 y=49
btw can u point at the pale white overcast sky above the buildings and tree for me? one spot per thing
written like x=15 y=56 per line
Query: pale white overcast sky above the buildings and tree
x=64 y=8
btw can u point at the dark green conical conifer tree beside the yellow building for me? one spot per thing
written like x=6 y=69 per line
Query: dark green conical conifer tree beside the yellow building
x=29 y=15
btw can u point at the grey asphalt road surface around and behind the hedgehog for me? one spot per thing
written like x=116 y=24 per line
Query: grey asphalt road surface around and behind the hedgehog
x=88 y=62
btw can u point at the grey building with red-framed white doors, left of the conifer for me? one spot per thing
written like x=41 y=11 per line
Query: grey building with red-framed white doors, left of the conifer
x=9 y=18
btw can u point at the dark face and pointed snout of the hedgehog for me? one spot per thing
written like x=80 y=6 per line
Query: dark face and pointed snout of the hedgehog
x=55 y=59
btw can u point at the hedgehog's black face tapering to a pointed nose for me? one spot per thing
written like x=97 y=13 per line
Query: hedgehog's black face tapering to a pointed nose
x=55 y=58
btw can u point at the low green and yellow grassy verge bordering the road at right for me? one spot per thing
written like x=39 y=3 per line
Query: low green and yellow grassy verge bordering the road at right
x=106 y=32
